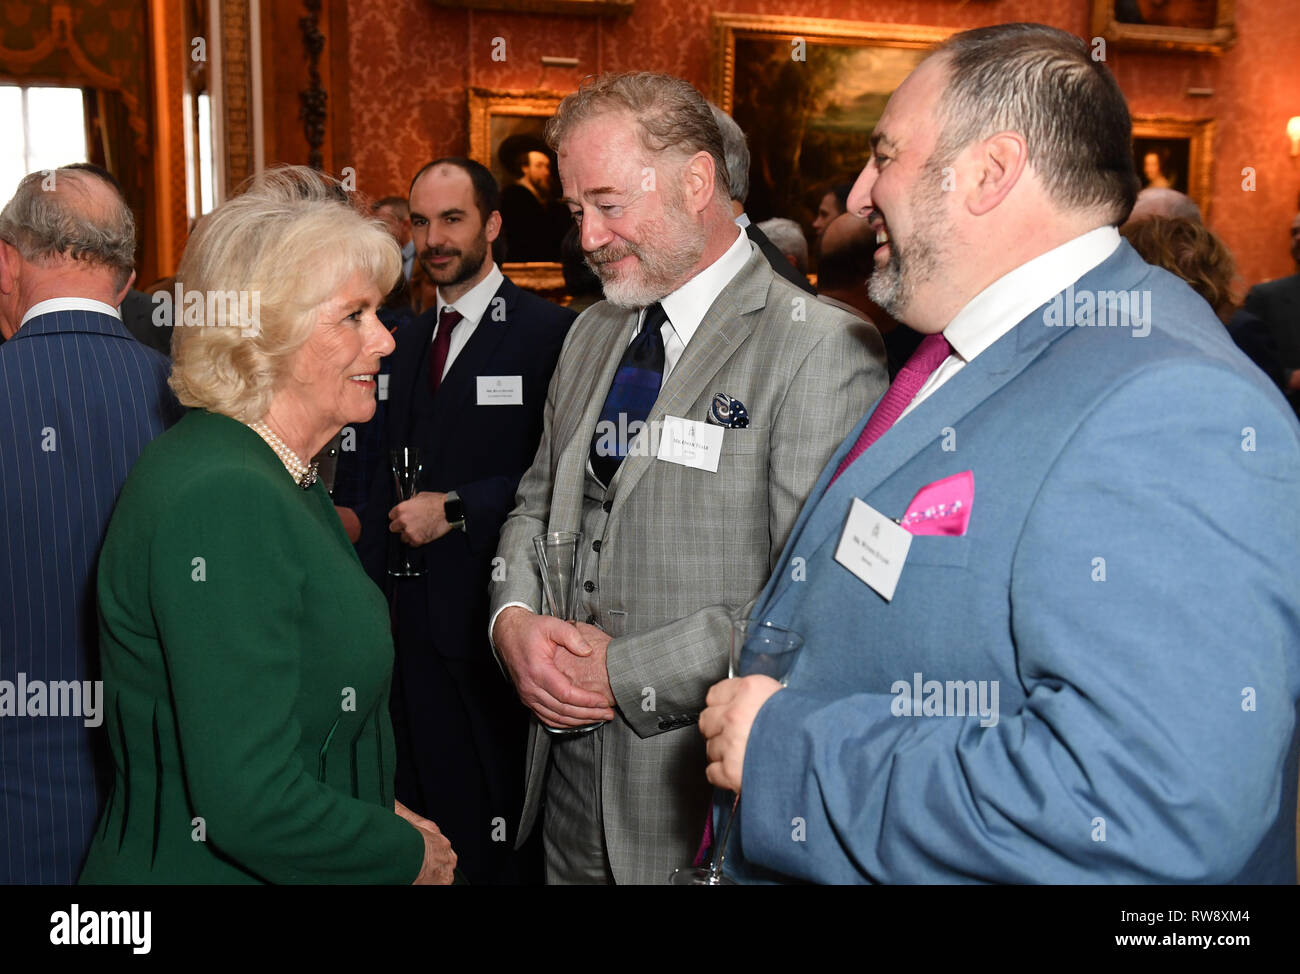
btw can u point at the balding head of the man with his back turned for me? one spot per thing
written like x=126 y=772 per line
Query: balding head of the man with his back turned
x=67 y=233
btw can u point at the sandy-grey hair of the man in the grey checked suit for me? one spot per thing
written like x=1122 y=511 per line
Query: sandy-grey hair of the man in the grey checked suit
x=669 y=112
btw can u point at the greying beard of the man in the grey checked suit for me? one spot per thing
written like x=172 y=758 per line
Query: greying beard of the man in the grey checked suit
x=670 y=248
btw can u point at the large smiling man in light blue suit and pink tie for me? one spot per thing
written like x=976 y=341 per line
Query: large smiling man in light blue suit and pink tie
x=1087 y=670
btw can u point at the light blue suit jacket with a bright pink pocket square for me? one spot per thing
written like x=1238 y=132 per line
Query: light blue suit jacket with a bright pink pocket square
x=1147 y=702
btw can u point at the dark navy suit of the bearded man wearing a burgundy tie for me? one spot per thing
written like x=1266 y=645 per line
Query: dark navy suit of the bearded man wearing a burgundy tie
x=480 y=452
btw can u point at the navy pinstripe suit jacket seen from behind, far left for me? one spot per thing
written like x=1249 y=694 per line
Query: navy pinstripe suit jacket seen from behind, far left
x=80 y=399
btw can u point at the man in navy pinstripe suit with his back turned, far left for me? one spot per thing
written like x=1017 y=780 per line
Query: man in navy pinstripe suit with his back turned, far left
x=80 y=399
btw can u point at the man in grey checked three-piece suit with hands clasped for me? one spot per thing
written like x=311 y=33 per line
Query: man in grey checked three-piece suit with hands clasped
x=694 y=311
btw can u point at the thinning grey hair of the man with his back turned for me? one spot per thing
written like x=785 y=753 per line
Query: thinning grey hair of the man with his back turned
x=51 y=217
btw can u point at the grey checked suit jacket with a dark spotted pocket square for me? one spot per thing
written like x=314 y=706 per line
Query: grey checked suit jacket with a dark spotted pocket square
x=684 y=548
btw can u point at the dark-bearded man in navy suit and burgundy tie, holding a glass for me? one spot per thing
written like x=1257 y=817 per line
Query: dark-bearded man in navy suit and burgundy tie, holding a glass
x=469 y=384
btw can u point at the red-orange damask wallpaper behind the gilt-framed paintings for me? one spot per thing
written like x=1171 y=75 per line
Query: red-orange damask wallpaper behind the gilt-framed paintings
x=413 y=62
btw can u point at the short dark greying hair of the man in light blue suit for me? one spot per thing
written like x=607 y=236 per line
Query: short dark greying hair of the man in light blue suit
x=1043 y=84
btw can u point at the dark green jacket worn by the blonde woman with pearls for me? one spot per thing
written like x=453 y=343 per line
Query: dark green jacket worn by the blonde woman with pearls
x=246 y=664
